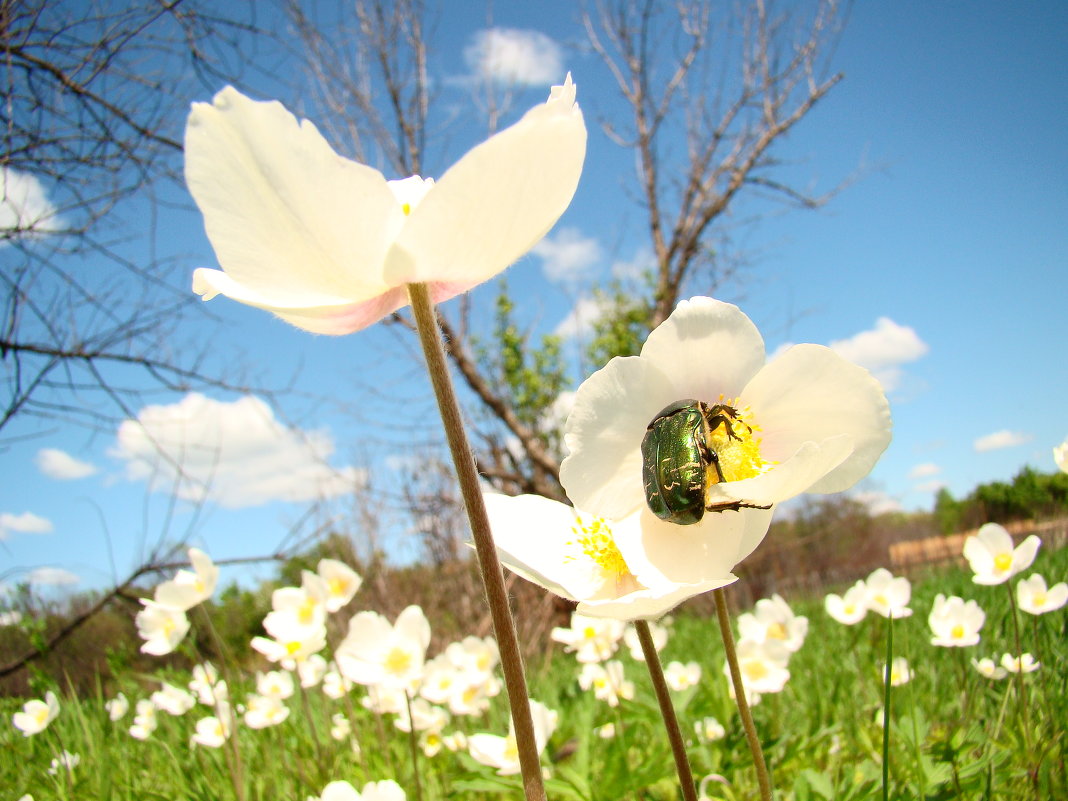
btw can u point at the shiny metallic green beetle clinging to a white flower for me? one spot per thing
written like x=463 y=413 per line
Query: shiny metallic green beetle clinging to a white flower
x=679 y=463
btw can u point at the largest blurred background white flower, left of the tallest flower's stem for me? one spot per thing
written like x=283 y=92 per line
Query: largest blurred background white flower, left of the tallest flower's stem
x=378 y=653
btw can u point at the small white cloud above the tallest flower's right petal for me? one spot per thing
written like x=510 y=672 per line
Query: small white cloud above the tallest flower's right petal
x=515 y=57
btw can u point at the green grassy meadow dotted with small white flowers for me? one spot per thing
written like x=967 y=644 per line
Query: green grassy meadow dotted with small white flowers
x=955 y=734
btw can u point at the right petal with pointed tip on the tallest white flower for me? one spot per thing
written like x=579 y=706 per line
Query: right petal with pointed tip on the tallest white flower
x=497 y=202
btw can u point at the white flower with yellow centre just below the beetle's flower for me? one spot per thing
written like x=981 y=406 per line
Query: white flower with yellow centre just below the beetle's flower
x=638 y=568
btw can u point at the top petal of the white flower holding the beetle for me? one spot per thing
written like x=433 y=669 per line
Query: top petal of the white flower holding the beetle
x=706 y=349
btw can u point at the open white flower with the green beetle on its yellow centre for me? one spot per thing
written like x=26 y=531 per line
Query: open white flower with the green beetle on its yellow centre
x=807 y=422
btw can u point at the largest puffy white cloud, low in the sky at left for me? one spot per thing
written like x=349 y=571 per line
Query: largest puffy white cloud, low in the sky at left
x=235 y=454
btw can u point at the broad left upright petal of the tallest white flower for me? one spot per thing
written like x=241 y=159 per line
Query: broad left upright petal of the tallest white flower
x=286 y=214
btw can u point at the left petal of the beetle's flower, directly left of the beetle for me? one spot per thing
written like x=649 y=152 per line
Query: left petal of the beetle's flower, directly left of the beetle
x=603 y=475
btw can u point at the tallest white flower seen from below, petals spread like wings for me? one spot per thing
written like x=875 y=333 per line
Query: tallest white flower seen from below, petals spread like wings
x=329 y=245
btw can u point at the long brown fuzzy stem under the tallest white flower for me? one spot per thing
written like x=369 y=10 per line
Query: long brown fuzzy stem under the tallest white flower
x=490 y=566
